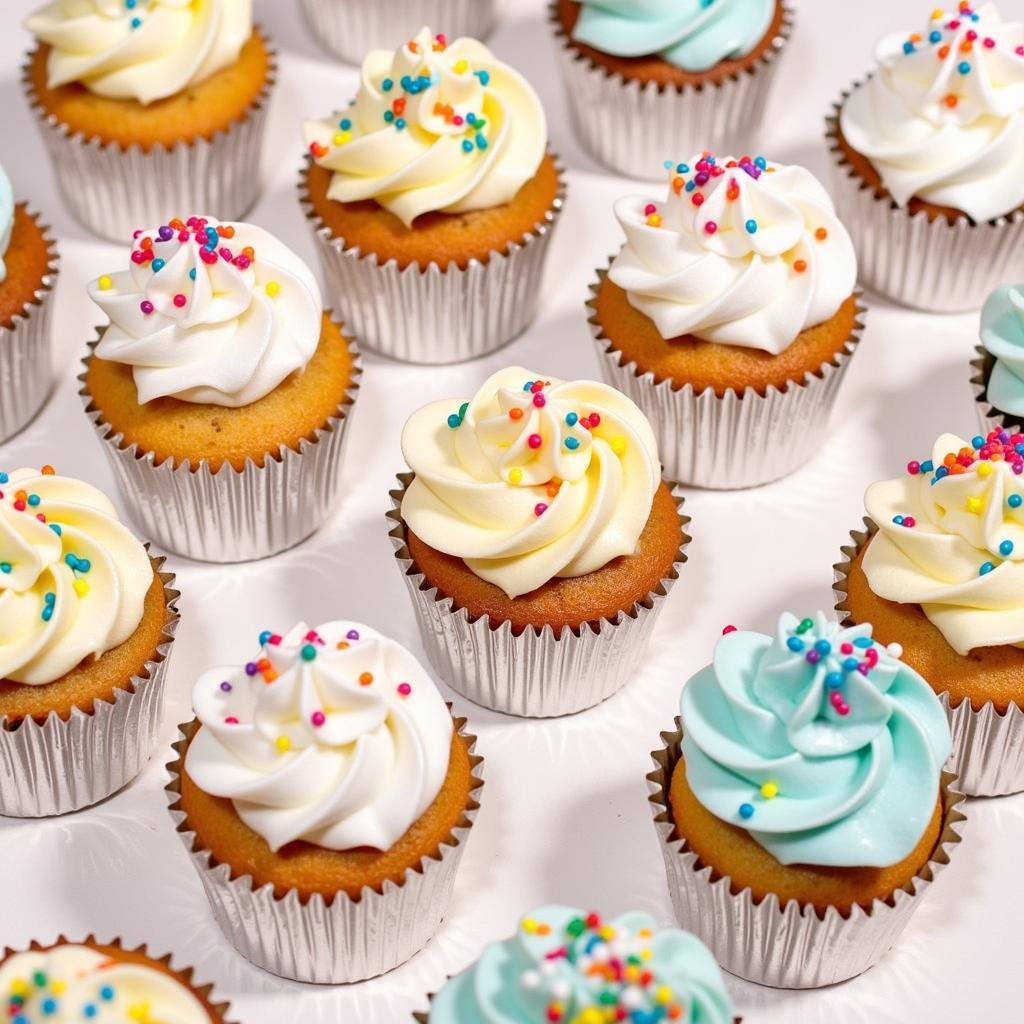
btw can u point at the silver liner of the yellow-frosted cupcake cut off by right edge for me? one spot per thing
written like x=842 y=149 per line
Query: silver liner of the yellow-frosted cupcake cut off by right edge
x=989 y=745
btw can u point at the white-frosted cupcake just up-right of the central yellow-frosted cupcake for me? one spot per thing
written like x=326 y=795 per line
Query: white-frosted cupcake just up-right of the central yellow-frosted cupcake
x=730 y=317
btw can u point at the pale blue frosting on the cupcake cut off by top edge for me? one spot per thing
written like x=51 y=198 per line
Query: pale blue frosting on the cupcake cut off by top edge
x=690 y=34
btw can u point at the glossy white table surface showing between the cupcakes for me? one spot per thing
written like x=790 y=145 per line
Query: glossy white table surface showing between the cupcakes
x=565 y=817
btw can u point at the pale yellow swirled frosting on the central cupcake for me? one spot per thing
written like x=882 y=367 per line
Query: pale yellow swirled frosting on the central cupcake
x=532 y=479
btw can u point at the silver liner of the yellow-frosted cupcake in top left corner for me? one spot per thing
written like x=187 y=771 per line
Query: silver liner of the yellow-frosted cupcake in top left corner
x=115 y=190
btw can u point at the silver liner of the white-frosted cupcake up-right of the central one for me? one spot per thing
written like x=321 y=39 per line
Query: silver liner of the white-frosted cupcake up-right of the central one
x=731 y=441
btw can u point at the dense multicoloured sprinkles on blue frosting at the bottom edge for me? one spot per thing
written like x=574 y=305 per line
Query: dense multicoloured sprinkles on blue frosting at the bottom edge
x=615 y=962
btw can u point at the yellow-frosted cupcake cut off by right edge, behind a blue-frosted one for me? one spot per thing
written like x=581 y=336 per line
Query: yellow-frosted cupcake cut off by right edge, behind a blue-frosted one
x=940 y=570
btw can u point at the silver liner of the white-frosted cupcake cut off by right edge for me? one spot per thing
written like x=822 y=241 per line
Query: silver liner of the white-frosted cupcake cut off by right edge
x=928 y=265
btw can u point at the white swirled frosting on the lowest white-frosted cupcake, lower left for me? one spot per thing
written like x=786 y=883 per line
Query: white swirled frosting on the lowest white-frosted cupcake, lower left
x=334 y=736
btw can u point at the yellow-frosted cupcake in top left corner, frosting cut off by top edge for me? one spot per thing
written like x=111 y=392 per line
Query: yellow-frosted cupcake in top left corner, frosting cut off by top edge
x=148 y=109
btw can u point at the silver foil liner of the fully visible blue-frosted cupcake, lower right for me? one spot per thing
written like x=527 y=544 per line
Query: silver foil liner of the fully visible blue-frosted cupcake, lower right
x=785 y=947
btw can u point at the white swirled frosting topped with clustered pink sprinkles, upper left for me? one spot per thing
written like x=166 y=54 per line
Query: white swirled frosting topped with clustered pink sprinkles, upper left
x=209 y=313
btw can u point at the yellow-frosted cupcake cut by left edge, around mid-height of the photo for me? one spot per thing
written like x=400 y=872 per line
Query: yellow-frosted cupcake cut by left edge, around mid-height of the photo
x=89 y=620
